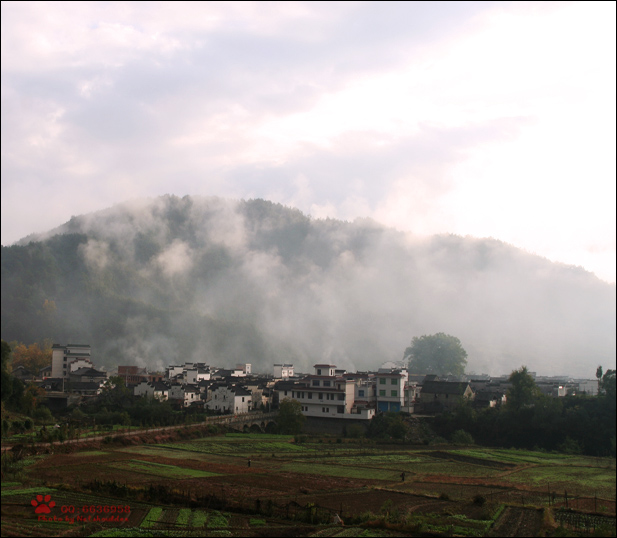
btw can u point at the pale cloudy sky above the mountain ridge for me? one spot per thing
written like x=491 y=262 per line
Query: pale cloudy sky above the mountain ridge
x=472 y=118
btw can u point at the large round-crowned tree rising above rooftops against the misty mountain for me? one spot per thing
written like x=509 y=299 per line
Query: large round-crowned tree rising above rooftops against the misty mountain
x=439 y=354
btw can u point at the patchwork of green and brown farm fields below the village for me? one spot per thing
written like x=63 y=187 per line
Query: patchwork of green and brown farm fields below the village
x=268 y=485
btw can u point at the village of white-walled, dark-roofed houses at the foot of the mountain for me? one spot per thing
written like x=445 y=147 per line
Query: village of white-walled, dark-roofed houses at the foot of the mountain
x=326 y=393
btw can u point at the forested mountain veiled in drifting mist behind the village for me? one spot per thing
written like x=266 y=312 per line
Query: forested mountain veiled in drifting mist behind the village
x=166 y=280
